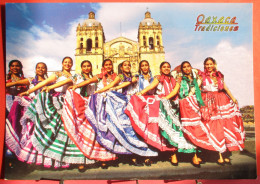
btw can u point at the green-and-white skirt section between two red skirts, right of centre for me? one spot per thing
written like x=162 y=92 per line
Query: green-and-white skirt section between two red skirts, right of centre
x=171 y=128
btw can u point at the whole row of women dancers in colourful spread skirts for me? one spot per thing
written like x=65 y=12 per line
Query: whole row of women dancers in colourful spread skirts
x=66 y=119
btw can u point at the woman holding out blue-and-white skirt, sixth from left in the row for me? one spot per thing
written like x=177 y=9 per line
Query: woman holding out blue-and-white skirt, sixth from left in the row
x=116 y=121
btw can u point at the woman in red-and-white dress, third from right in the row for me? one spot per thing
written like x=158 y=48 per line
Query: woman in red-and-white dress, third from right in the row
x=144 y=110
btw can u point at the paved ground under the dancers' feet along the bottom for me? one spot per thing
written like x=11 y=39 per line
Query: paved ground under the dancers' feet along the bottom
x=243 y=167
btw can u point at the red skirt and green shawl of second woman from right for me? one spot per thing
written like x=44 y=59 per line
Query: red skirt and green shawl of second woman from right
x=194 y=129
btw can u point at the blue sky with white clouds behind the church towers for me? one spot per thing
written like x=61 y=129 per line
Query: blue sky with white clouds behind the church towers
x=46 y=32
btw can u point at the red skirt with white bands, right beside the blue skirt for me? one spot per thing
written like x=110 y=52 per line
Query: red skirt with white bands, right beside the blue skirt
x=143 y=112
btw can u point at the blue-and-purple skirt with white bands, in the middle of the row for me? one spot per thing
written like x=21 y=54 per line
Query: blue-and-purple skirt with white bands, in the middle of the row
x=113 y=127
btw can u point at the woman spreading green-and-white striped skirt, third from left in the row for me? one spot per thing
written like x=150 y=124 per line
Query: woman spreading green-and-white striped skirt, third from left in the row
x=50 y=137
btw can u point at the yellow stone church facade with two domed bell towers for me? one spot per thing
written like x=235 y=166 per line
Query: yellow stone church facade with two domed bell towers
x=91 y=45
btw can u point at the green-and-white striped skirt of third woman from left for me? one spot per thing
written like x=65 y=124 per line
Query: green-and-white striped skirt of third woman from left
x=50 y=137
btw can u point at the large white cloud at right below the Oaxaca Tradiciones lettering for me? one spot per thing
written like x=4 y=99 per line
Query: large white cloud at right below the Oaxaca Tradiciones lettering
x=236 y=63
